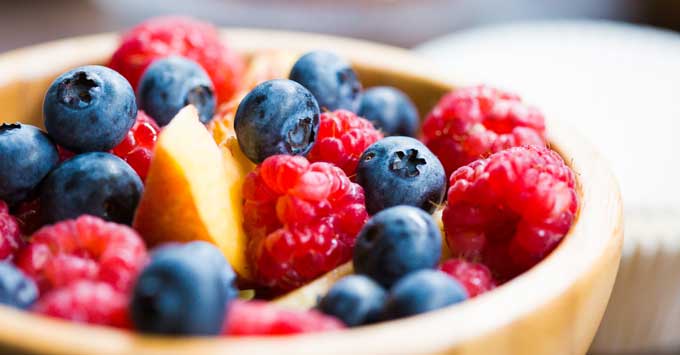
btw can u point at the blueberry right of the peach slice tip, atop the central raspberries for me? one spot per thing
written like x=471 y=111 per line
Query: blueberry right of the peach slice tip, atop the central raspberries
x=277 y=117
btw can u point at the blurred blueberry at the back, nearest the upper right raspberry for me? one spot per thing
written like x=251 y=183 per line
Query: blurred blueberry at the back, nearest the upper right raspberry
x=390 y=110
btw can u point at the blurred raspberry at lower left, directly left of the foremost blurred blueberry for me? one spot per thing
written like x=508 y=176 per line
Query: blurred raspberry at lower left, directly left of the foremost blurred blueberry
x=87 y=302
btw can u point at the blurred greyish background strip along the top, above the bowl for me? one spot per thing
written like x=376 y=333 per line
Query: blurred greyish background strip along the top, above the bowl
x=400 y=22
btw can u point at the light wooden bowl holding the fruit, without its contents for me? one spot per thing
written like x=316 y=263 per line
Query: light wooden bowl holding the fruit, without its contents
x=553 y=308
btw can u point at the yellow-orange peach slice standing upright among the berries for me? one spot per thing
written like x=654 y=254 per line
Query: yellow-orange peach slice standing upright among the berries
x=190 y=194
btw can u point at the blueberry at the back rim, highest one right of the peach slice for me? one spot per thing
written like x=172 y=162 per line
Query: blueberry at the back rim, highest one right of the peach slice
x=330 y=78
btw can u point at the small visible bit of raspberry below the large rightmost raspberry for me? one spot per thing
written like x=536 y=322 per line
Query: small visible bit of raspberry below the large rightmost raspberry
x=475 y=277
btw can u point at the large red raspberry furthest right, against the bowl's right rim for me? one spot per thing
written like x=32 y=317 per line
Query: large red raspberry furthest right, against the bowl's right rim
x=511 y=209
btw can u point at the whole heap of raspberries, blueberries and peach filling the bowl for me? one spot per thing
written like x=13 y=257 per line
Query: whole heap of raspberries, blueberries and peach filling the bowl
x=174 y=181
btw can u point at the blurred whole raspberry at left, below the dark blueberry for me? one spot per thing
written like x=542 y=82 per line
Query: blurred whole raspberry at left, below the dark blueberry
x=84 y=248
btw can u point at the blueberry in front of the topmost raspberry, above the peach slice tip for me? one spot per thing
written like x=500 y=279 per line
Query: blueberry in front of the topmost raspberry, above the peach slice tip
x=169 y=84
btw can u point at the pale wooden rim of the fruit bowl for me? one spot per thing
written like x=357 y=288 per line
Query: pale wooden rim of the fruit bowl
x=595 y=237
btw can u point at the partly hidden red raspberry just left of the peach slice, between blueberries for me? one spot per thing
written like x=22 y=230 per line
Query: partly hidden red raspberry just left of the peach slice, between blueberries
x=137 y=146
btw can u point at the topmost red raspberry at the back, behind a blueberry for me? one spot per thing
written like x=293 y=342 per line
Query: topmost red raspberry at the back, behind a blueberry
x=164 y=36
